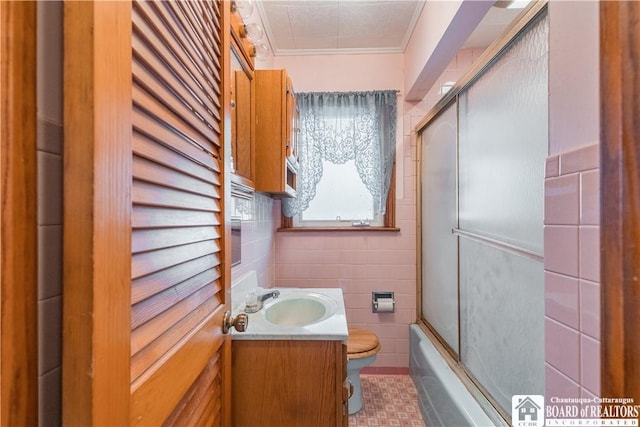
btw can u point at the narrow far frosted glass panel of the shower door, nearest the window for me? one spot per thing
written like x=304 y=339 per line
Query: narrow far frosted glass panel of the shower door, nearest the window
x=439 y=245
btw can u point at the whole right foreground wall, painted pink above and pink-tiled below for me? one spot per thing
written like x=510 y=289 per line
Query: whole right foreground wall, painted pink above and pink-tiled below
x=572 y=203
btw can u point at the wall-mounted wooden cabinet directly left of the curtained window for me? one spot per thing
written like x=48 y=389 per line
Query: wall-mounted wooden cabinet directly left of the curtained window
x=276 y=133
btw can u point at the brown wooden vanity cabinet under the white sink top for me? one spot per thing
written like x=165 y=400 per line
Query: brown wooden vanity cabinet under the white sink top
x=289 y=383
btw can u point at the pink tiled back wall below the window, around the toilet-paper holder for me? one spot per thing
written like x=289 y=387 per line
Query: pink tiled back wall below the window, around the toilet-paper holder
x=360 y=263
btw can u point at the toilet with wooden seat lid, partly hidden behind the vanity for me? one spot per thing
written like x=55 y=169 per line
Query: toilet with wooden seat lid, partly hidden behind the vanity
x=362 y=347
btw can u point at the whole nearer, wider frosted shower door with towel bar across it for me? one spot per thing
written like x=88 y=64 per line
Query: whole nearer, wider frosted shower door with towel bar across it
x=503 y=147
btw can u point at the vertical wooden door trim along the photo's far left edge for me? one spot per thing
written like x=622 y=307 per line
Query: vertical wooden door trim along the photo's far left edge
x=18 y=215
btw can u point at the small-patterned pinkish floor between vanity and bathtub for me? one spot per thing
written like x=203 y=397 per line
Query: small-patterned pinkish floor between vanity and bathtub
x=389 y=401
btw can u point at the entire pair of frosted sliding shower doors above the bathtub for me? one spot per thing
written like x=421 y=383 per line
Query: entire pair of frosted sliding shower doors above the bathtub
x=482 y=192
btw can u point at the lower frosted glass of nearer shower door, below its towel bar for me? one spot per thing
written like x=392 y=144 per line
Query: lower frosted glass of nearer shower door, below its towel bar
x=502 y=320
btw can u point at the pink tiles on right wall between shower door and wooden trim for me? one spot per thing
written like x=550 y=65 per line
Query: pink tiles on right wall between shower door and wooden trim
x=572 y=271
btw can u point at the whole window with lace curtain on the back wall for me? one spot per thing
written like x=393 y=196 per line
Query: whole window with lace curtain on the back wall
x=347 y=149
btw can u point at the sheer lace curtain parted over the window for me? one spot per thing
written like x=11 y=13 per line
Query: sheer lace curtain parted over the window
x=342 y=126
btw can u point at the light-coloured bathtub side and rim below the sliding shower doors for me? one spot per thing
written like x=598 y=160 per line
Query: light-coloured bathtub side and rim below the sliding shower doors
x=444 y=400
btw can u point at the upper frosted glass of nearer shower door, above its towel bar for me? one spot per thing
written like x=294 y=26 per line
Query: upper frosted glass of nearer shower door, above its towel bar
x=503 y=144
